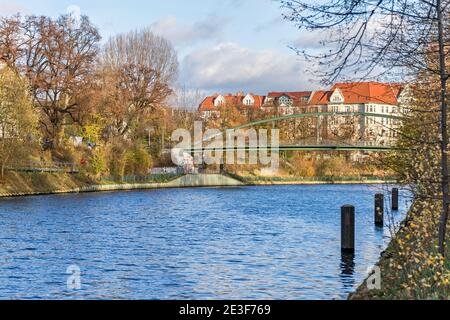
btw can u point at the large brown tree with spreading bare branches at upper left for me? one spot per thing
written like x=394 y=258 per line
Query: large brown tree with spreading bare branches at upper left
x=57 y=56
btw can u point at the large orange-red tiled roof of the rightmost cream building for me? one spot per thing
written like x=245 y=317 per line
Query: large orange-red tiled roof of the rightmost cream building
x=369 y=92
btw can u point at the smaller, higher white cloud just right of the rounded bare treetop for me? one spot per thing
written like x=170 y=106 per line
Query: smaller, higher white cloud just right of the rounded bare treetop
x=184 y=35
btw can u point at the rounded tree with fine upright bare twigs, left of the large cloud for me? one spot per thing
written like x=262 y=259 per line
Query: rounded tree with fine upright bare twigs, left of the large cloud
x=138 y=70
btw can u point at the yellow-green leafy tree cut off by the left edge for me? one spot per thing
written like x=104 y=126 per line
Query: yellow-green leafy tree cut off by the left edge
x=18 y=121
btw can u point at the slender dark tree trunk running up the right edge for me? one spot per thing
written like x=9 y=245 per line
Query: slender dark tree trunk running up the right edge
x=444 y=132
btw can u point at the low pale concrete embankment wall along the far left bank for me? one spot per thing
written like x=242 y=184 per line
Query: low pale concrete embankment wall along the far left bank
x=188 y=181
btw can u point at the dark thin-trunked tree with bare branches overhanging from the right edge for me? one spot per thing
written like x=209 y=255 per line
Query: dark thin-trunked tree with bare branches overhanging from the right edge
x=385 y=38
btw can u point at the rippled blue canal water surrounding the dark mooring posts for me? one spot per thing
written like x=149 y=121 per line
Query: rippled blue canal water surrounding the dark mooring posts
x=275 y=242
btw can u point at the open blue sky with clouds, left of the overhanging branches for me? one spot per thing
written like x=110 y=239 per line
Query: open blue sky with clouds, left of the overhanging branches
x=223 y=45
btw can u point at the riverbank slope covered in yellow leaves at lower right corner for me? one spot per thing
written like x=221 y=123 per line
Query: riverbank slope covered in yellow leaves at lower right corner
x=411 y=267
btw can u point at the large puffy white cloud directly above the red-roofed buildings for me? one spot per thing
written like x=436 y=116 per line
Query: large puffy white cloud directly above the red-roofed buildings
x=231 y=67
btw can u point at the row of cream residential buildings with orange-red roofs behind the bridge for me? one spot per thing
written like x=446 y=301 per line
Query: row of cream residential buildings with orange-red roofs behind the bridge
x=361 y=98
